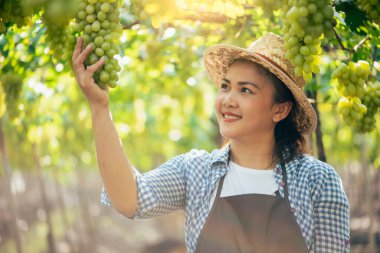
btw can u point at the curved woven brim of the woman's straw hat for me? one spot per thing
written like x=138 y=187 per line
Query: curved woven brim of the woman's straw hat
x=218 y=58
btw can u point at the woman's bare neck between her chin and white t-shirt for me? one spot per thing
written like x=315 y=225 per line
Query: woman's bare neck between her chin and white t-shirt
x=256 y=154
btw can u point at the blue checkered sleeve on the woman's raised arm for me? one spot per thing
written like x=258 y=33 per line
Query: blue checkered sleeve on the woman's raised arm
x=161 y=190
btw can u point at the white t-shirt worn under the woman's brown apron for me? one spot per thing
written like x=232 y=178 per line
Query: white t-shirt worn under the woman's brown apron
x=241 y=180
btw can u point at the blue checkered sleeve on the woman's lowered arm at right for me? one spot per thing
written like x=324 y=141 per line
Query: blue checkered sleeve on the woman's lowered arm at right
x=331 y=212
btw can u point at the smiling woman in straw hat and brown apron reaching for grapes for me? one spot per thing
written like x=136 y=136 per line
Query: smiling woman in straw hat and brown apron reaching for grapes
x=259 y=193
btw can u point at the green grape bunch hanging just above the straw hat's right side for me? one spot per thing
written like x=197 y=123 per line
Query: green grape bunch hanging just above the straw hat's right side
x=304 y=25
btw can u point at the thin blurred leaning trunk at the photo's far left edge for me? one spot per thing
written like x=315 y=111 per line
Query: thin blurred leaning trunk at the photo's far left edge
x=11 y=201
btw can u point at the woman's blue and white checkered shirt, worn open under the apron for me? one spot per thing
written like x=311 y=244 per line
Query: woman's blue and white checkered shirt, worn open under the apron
x=187 y=182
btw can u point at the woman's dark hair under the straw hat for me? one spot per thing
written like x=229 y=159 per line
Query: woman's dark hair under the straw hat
x=289 y=142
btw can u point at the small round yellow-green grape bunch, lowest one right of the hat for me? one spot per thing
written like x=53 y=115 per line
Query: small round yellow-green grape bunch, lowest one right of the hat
x=352 y=109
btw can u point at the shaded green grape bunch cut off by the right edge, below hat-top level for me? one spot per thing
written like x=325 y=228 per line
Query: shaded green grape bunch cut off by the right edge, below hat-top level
x=371 y=99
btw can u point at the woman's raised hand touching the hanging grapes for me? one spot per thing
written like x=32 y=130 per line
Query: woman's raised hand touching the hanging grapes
x=97 y=98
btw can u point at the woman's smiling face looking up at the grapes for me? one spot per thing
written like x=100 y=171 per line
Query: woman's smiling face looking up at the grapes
x=244 y=103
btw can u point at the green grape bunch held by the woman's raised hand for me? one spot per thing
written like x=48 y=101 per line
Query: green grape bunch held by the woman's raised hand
x=100 y=23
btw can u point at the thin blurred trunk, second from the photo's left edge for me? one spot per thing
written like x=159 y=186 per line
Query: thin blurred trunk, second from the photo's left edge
x=50 y=235
